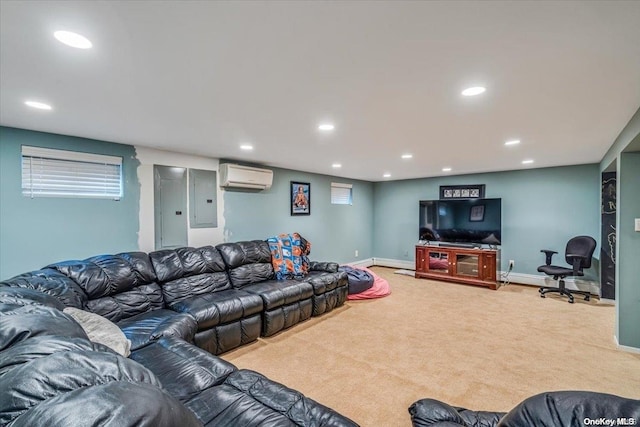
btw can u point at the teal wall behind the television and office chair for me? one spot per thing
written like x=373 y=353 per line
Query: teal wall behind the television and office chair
x=541 y=209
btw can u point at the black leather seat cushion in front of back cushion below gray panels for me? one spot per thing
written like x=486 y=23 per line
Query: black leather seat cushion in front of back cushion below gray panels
x=220 y=307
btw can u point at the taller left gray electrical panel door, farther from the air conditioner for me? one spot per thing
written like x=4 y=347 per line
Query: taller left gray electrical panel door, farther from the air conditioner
x=170 y=205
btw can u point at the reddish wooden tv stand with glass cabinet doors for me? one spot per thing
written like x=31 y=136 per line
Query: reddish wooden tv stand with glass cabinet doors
x=462 y=265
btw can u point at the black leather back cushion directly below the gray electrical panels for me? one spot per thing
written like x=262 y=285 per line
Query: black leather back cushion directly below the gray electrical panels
x=186 y=272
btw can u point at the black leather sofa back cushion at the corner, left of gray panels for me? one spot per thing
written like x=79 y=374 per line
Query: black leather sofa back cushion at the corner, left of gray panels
x=118 y=286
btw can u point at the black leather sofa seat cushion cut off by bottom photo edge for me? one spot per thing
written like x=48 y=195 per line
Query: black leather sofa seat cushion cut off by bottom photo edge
x=247 y=398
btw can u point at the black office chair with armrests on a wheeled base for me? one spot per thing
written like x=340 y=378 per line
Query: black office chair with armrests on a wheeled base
x=578 y=253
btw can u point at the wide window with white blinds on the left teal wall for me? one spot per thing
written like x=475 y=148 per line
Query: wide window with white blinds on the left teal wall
x=59 y=173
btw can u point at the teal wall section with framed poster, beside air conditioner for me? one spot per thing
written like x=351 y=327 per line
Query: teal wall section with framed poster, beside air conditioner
x=335 y=231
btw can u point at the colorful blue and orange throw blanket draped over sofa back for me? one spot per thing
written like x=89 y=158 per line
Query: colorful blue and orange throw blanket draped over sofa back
x=289 y=256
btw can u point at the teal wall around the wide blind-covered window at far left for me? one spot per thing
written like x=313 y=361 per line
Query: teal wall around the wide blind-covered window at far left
x=36 y=232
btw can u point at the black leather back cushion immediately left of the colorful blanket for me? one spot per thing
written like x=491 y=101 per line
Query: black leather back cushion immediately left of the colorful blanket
x=247 y=262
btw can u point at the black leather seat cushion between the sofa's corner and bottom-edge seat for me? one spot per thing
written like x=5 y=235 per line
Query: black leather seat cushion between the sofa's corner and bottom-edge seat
x=183 y=369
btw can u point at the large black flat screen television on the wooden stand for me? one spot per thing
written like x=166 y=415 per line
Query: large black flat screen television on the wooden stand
x=470 y=222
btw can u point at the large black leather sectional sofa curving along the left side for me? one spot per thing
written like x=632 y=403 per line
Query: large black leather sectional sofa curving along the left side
x=218 y=298
